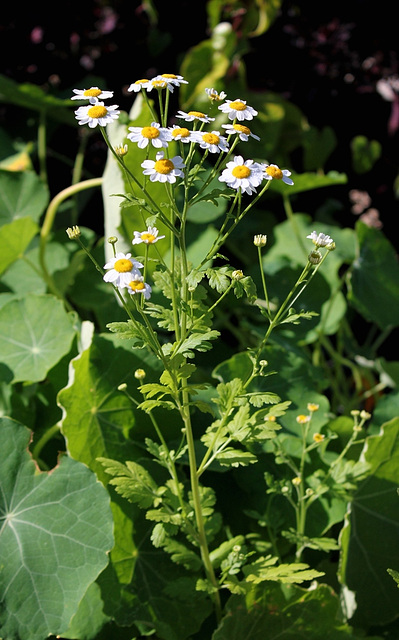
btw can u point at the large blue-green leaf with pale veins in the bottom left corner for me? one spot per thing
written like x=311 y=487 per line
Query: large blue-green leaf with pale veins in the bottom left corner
x=56 y=533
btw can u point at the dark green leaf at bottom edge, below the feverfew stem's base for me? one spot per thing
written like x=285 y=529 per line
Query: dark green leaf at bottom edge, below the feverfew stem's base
x=271 y=612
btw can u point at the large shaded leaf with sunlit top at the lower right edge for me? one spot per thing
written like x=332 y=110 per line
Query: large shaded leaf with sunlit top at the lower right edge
x=369 y=540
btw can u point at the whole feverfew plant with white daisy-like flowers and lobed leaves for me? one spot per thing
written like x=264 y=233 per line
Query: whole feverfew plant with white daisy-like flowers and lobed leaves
x=178 y=324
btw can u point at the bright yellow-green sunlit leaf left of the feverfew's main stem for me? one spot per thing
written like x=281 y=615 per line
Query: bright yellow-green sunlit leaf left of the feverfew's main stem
x=98 y=419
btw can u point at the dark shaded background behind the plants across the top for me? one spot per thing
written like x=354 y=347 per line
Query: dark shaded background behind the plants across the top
x=325 y=57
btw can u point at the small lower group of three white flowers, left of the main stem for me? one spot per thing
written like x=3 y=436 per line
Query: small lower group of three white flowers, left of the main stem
x=124 y=271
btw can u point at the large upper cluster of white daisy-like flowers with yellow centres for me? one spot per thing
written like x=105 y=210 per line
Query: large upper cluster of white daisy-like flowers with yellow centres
x=239 y=174
